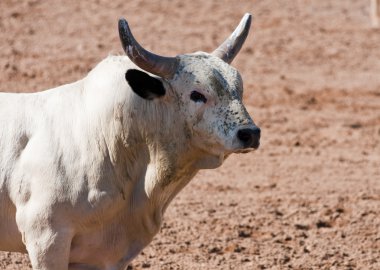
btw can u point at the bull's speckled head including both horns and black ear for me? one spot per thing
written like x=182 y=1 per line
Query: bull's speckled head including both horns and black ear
x=206 y=87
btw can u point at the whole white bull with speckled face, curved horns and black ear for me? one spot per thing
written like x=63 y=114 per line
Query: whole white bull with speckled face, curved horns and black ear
x=87 y=169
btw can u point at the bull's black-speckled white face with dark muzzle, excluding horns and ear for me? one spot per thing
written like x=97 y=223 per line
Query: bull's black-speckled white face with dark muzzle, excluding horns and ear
x=210 y=96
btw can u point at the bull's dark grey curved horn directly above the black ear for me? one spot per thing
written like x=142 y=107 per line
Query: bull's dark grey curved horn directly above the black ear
x=158 y=65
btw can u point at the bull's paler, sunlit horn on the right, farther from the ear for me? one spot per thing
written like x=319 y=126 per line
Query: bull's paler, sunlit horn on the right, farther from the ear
x=232 y=45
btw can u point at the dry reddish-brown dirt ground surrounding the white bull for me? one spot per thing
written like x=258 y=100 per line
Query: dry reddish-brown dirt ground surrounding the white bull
x=309 y=198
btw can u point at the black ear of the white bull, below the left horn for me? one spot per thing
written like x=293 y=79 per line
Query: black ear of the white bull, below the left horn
x=144 y=85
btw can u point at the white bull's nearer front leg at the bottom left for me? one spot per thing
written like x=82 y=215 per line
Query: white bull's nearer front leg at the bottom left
x=47 y=240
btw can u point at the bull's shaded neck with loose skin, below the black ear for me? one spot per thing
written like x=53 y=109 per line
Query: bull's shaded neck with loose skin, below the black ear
x=150 y=164
